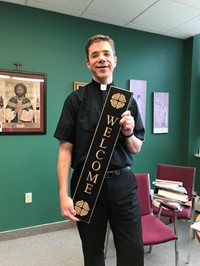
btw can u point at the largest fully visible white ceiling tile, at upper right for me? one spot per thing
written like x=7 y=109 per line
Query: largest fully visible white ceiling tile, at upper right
x=166 y=15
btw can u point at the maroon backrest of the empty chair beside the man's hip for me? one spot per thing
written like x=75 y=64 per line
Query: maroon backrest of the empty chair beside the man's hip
x=143 y=193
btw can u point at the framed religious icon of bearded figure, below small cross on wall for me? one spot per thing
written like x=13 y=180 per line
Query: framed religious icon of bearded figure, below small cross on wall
x=22 y=102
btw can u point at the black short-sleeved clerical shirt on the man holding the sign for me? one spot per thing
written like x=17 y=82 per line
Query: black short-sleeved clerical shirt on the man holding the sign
x=78 y=121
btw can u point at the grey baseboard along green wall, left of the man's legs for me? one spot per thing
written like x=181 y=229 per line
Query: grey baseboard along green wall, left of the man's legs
x=35 y=230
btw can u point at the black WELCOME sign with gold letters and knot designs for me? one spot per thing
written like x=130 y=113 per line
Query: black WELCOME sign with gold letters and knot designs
x=100 y=153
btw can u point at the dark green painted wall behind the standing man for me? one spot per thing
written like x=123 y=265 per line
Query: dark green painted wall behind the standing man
x=53 y=43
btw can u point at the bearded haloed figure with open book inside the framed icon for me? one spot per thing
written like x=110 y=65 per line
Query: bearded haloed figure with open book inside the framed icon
x=19 y=108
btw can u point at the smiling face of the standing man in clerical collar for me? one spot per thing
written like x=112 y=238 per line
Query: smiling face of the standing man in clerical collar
x=101 y=61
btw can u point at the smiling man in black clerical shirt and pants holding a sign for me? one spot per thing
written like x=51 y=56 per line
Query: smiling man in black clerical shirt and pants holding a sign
x=117 y=202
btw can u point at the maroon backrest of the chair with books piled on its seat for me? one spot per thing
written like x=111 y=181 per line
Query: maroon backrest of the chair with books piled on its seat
x=178 y=173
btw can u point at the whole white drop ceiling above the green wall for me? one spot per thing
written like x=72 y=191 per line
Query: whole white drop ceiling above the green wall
x=175 y=18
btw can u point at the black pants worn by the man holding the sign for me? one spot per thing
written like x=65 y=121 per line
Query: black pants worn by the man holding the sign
x=118 y=204
